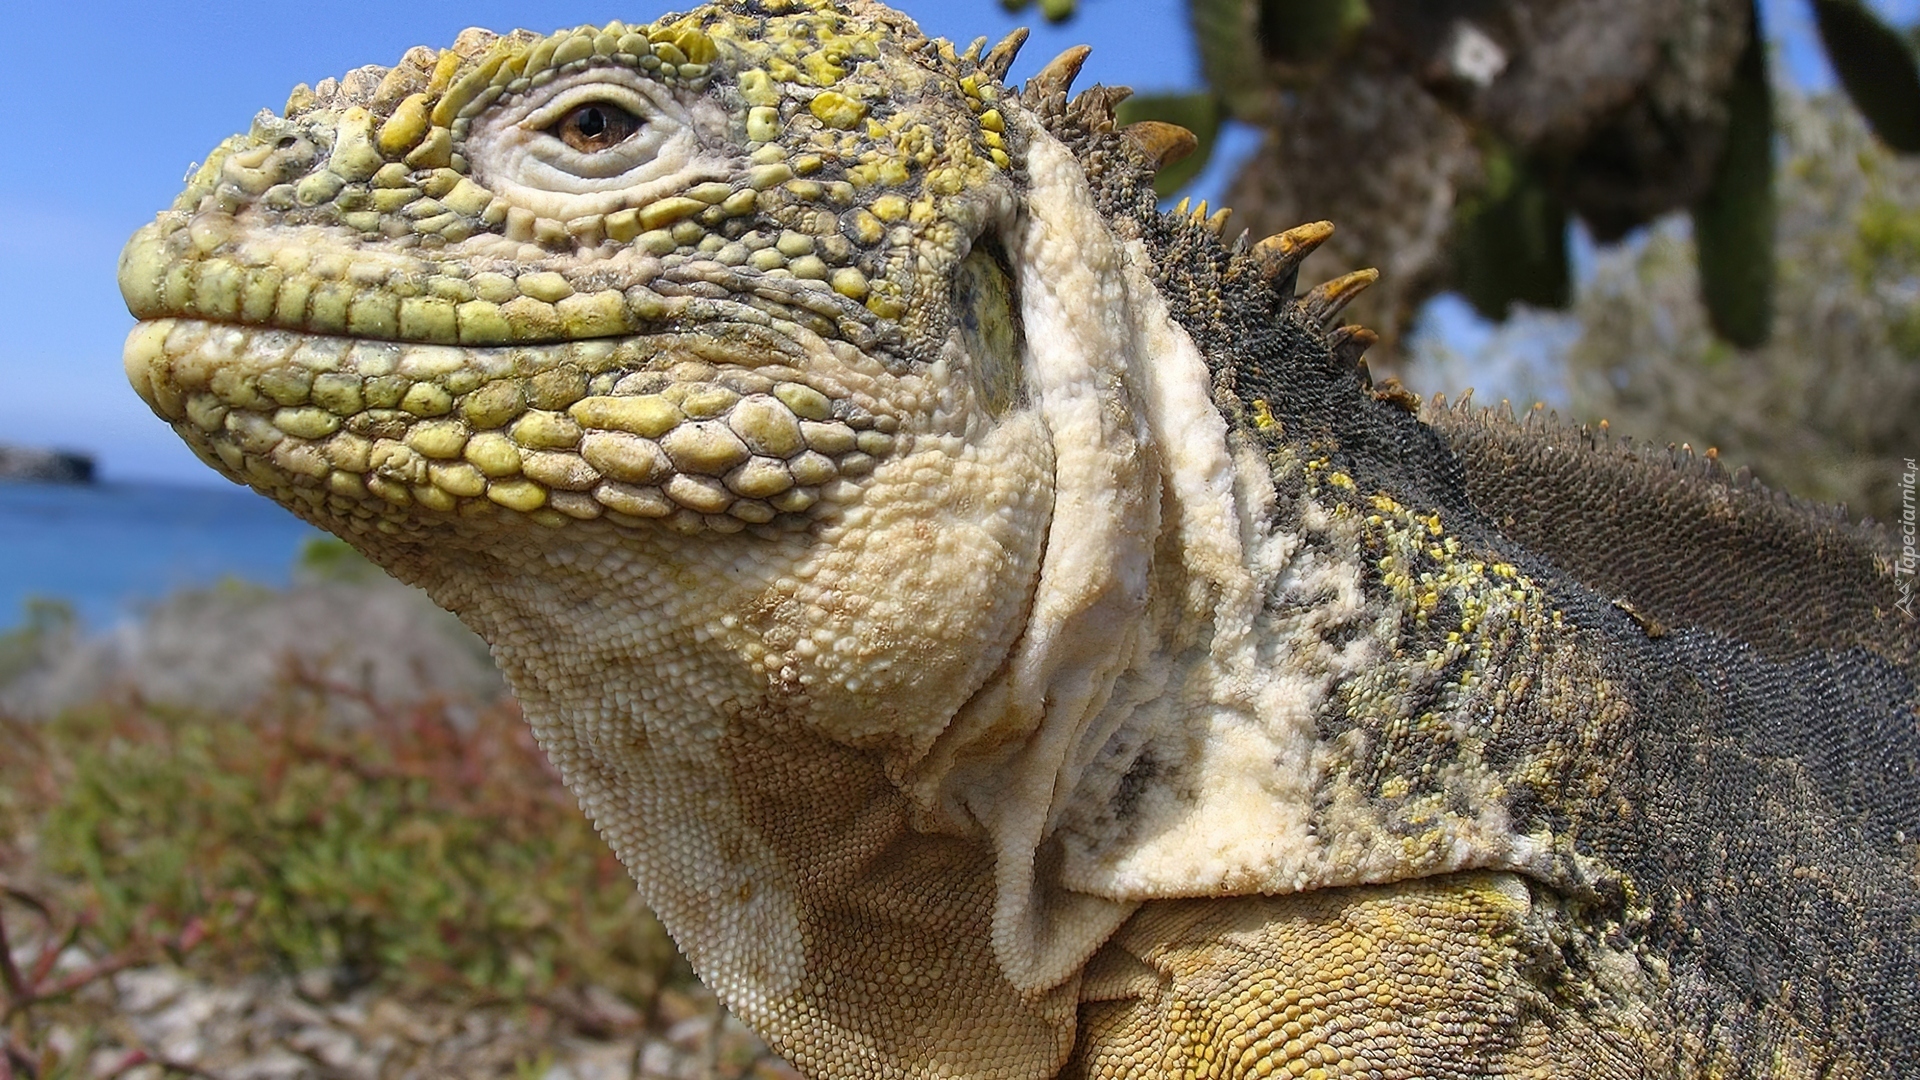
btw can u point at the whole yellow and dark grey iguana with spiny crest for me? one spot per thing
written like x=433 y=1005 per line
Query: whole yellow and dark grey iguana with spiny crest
x=999 y=624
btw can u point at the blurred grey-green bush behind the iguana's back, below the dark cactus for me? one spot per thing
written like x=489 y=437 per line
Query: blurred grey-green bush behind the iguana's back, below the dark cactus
x=1831 y=406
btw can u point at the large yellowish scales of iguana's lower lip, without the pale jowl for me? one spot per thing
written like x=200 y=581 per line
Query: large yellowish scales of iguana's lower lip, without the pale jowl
x=702 y=431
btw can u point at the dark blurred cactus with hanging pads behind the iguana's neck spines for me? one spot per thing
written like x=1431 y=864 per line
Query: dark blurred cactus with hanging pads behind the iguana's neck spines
x=1454 y=141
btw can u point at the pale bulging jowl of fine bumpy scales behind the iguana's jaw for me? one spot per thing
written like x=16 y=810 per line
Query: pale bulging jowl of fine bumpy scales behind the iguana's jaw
x=921 y=593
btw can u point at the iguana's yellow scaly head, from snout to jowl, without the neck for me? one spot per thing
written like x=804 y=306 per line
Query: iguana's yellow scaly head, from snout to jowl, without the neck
x=702 y=291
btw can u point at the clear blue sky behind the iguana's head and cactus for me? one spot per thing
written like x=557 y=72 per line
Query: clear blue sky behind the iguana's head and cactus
x=107 y=105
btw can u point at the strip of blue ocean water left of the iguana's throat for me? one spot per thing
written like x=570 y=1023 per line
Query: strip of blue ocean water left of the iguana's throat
x=112 y=549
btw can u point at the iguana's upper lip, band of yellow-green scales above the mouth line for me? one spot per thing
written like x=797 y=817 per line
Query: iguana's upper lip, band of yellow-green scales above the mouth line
x=247 y=268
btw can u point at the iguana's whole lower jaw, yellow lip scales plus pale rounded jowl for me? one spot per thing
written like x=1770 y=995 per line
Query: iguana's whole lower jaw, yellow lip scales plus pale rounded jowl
x=857 y=591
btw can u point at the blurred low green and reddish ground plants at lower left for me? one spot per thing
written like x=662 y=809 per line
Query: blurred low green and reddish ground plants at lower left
x=412 y=854
